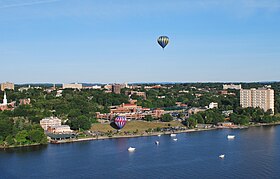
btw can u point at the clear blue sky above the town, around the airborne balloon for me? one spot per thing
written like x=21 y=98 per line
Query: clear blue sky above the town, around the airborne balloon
x=114 y=41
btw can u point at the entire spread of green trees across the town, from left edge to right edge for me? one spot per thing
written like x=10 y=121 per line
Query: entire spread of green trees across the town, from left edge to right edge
x=78 y=107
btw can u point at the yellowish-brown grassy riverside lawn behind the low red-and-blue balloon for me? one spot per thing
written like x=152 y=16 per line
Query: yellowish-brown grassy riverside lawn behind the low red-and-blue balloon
x=131 y=126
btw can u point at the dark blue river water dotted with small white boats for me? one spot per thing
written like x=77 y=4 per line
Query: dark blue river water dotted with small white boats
x=254 y=153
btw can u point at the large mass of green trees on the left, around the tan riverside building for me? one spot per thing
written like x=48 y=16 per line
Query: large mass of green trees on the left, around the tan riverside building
x=21 y=126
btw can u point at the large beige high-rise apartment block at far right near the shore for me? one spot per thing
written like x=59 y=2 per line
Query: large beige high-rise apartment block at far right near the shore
x=262 y=98
